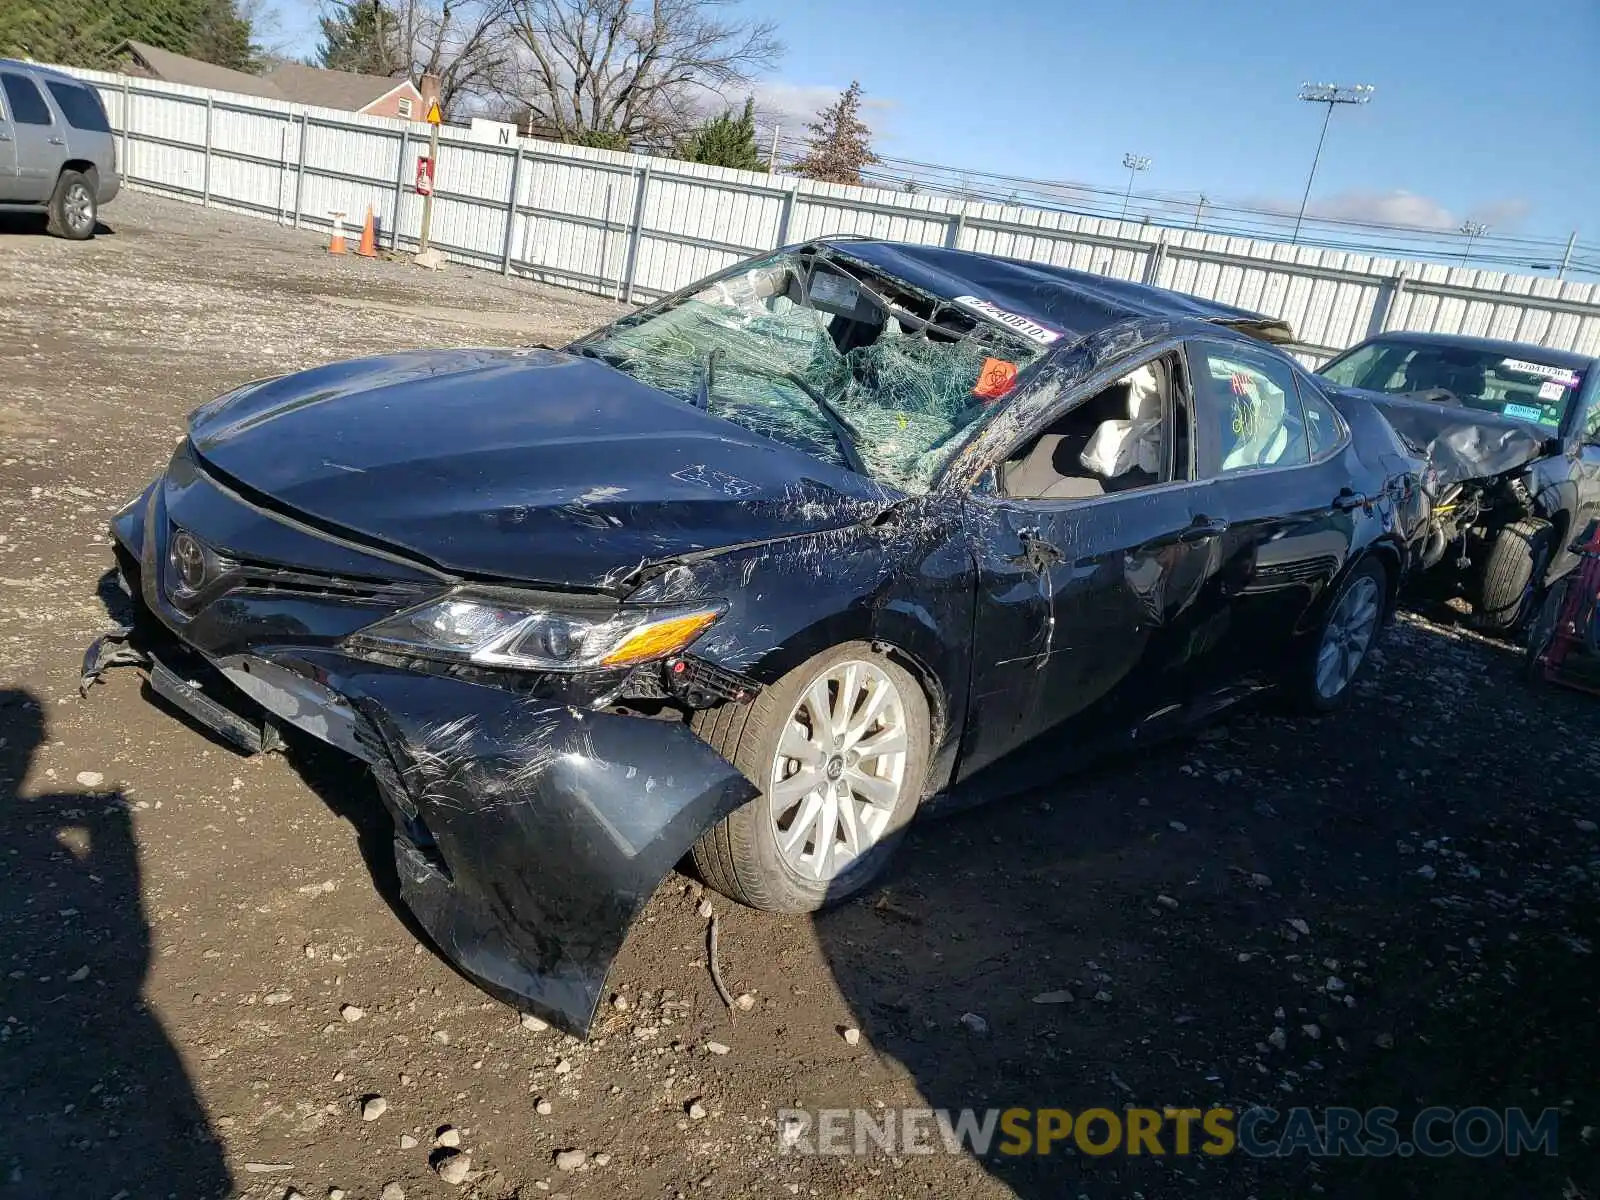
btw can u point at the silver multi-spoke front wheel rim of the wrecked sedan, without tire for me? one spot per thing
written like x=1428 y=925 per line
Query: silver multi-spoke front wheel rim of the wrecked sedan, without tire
x=839 y=770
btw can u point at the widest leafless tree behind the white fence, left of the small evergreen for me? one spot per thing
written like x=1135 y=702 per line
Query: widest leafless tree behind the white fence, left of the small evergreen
x=638 y=73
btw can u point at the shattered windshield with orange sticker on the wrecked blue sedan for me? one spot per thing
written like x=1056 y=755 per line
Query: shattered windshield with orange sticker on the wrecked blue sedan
x=823 y=354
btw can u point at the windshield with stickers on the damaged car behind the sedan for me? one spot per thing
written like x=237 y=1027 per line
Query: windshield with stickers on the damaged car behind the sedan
x=1521 y=388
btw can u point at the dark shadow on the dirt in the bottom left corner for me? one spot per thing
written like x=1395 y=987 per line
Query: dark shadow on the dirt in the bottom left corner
x=95 y=1098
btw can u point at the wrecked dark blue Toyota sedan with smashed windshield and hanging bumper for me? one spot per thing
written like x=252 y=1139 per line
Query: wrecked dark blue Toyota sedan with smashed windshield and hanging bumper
x=756 y=574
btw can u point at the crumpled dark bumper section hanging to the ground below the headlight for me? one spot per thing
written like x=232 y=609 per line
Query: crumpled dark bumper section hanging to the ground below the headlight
x=530 y=834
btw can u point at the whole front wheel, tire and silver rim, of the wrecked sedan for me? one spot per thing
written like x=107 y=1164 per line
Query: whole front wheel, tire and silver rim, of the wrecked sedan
x=841 y=751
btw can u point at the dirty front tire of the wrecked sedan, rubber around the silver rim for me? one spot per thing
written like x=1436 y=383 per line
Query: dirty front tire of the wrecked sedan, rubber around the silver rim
x=740 y=857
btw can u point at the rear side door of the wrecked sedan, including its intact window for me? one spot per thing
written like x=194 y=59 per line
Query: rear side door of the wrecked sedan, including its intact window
x=1281 y=465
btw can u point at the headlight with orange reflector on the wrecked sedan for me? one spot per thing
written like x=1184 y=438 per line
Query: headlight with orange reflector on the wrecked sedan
x=497 y=631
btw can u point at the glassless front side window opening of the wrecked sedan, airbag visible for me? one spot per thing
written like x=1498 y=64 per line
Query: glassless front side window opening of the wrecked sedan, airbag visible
x=1132 y=434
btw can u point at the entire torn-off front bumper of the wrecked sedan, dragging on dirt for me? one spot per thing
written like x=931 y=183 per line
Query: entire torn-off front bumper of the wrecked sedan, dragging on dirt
x=529 y=831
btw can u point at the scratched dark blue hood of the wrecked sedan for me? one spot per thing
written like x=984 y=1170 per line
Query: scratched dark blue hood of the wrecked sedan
x=522 y=465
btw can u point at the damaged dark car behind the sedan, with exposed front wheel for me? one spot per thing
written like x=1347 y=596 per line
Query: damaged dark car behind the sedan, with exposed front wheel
x=1513 y=433
